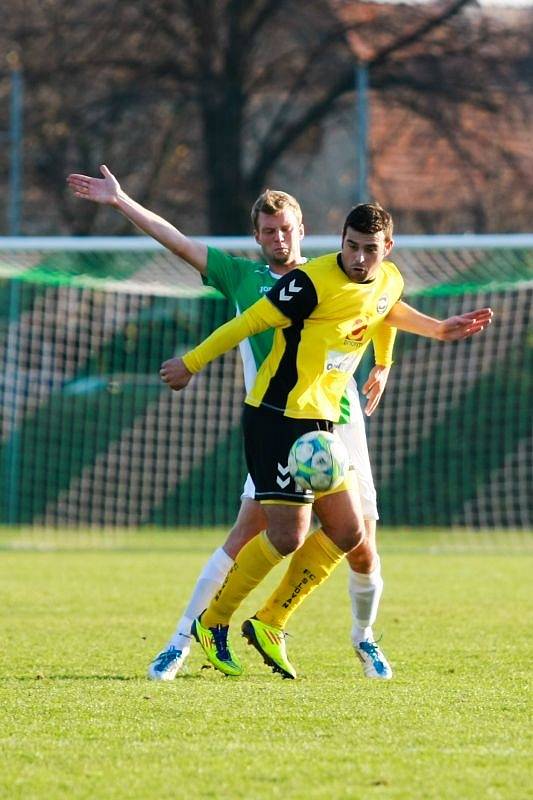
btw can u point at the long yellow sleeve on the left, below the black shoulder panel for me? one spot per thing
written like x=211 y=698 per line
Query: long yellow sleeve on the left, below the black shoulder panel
x=257 y=318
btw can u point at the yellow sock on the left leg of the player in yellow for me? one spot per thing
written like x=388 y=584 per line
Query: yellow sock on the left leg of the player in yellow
x=254 y=561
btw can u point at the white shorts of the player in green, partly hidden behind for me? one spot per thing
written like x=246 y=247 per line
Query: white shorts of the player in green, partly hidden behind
x=353 y=435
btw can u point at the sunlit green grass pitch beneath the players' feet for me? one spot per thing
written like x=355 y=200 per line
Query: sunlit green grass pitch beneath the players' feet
x=83 y=614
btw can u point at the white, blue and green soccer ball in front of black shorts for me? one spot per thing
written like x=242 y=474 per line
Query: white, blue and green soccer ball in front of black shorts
x=318 y=460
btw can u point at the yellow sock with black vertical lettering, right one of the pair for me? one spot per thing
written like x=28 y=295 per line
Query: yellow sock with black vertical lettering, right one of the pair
x=308 y=568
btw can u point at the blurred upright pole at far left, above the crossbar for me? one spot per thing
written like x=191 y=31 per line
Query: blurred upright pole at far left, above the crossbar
x=15 y=144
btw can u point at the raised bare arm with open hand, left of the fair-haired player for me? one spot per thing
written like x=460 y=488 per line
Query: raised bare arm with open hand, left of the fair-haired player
x=108 y=191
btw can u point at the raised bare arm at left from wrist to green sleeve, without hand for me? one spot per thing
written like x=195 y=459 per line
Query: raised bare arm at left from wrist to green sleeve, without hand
x=195 y=253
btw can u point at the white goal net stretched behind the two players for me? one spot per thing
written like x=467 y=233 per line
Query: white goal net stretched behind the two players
x=91 y=438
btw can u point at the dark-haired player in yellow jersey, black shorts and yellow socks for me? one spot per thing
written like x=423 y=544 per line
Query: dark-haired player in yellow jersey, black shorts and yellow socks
x=325 y=313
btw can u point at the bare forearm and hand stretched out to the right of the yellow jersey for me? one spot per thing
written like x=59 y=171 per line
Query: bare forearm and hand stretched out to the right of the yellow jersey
x=452 y=329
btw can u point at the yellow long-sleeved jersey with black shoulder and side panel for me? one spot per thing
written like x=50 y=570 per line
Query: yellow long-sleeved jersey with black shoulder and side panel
x=324 y=322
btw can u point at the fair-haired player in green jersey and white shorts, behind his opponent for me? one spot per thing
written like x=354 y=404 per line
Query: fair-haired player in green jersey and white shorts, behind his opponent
x=278 y=229
